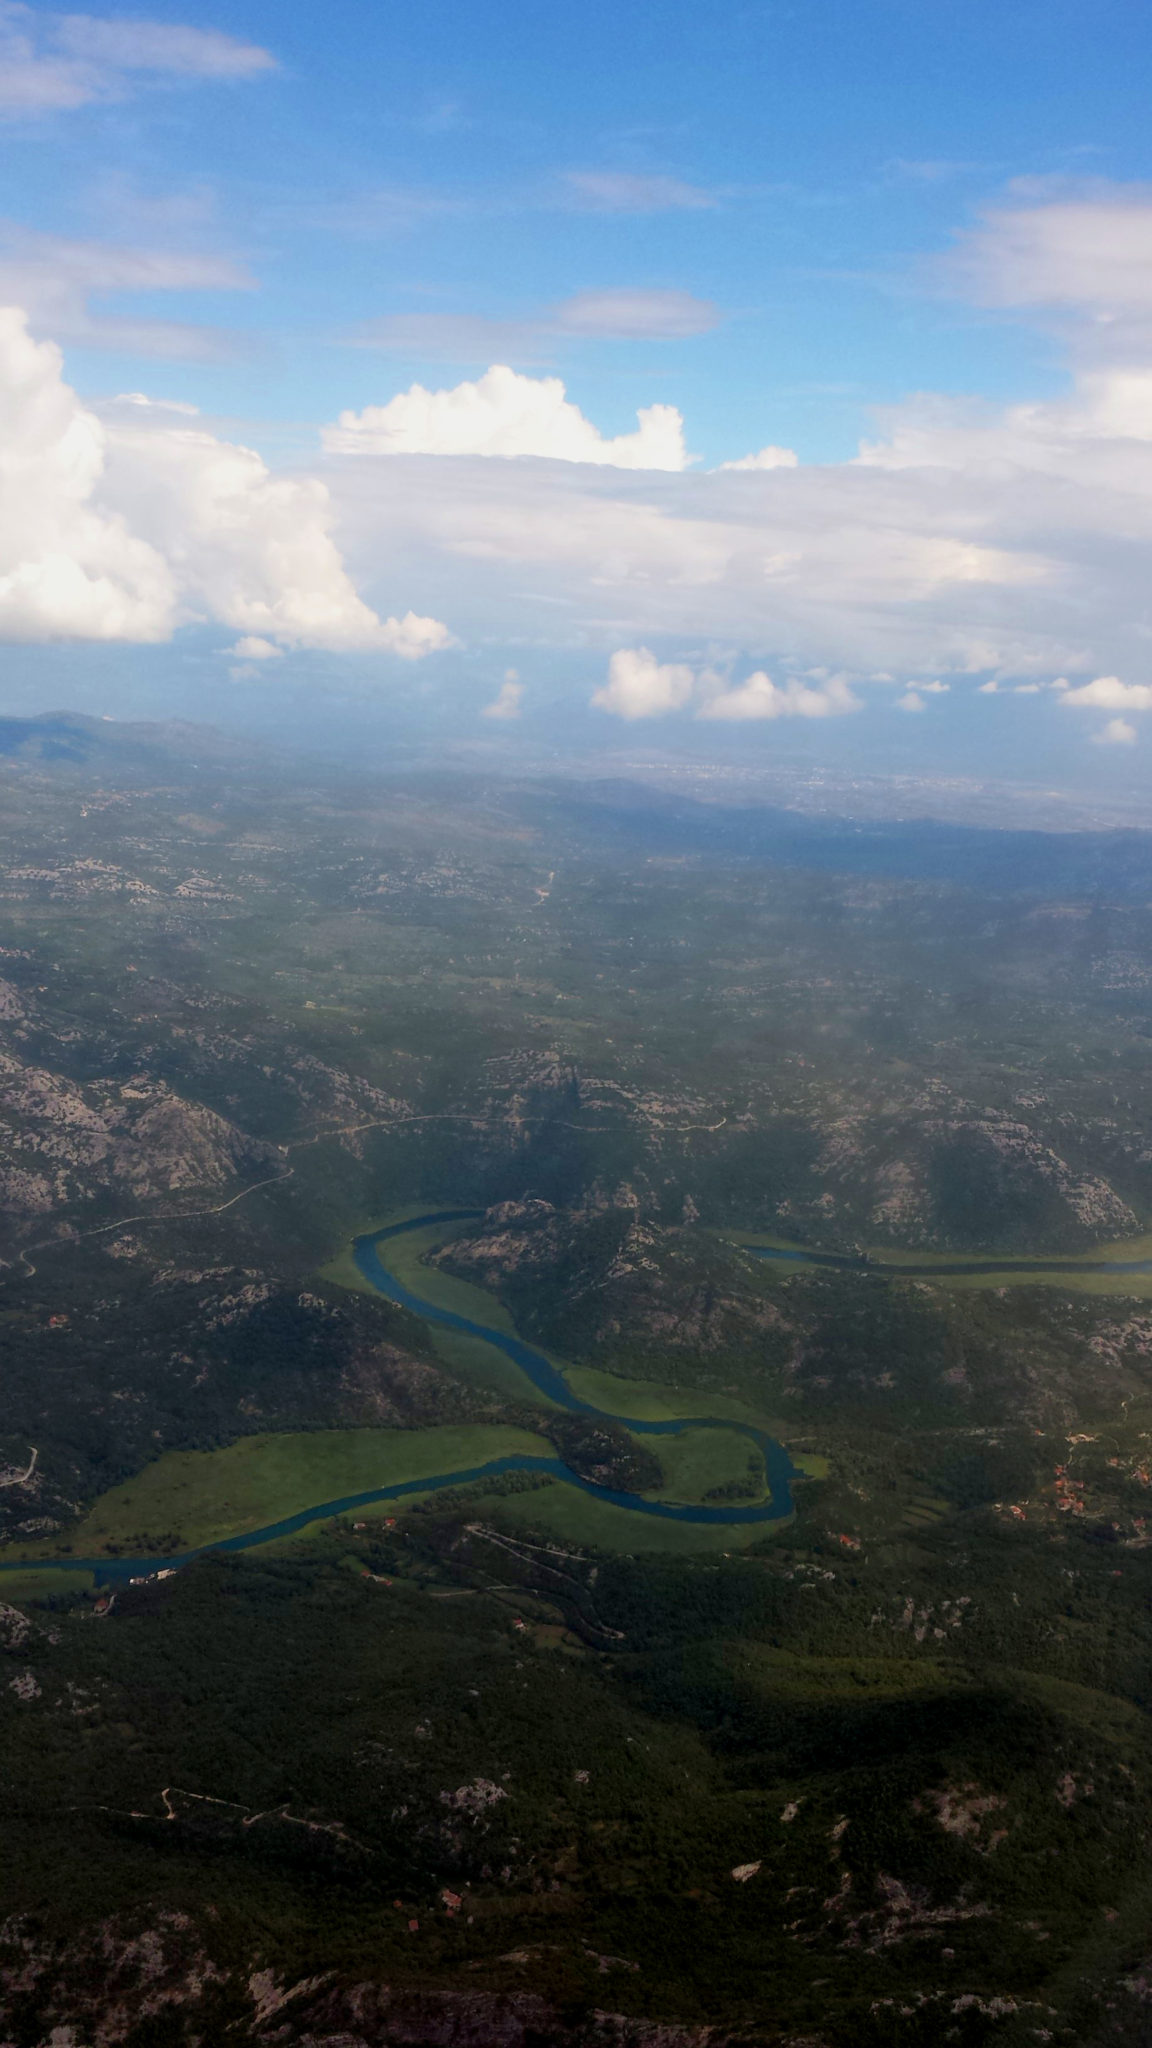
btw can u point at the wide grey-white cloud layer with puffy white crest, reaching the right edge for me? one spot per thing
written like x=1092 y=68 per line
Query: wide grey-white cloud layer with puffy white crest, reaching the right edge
x=1005 y=544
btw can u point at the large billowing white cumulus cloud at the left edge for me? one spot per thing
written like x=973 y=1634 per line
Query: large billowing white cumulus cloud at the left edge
x=130 y=525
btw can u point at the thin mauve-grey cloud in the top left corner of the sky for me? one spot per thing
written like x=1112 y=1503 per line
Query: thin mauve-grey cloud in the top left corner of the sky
x=56 y=62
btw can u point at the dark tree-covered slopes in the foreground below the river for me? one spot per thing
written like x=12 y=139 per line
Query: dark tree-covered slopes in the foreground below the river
x=304 y=1760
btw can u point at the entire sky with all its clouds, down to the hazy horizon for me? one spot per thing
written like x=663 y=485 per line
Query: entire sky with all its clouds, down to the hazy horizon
x=751 y=380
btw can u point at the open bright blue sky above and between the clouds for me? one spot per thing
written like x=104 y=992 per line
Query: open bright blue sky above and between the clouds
x=419 y=161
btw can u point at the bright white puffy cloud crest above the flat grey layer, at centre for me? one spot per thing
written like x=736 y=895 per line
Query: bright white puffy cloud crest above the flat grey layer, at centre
x=505 y=415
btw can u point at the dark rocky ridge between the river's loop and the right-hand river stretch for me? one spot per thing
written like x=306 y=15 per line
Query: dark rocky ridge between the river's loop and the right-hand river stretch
x=682 y=1306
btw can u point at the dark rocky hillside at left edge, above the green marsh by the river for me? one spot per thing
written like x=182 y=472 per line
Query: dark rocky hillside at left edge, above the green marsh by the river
x=116 y=1357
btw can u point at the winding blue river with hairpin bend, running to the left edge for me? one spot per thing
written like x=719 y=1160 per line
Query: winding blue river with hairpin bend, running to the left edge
x=542 y=1373
